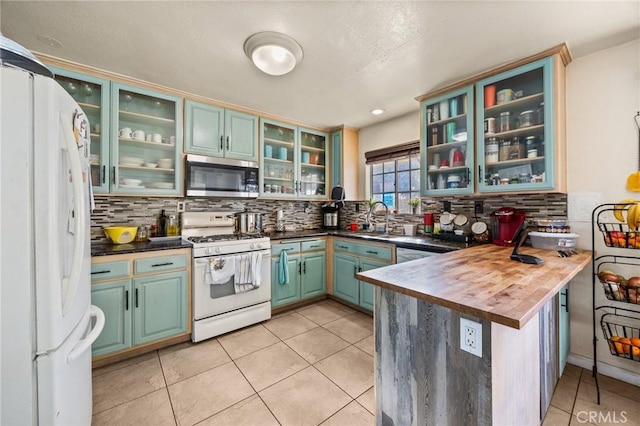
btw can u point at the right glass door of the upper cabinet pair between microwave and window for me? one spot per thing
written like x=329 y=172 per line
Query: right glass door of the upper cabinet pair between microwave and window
x=312 y=162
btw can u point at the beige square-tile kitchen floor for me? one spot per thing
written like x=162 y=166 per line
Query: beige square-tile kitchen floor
x=310 y=366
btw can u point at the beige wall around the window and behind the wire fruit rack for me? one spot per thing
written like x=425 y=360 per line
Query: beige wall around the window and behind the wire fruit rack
x=603 y=95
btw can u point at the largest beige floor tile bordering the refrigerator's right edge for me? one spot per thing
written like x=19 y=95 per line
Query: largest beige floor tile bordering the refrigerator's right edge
x=125 y=384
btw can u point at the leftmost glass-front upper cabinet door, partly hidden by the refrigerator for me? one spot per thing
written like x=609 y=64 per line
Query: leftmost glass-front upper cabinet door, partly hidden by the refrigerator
x=92 y=95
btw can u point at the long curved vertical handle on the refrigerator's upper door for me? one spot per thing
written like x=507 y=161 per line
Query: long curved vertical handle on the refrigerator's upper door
x=71 y=282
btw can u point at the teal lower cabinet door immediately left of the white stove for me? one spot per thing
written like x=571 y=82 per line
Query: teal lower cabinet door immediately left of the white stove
x=160 y=306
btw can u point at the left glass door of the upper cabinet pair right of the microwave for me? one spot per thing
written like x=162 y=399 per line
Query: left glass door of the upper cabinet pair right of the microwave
x=278 y=168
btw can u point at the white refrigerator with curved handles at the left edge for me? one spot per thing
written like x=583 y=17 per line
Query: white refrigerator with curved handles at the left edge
x=47 y=320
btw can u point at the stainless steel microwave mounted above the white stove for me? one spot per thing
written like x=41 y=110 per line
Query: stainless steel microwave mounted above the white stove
x=220 y=177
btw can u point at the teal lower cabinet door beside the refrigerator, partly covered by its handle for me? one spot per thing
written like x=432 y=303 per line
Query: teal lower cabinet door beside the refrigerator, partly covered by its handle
x=114 y=298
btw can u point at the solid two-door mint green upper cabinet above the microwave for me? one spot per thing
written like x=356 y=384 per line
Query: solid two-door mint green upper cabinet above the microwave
x=219 y=132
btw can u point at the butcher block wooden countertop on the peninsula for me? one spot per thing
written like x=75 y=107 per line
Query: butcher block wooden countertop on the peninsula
x=482 y=281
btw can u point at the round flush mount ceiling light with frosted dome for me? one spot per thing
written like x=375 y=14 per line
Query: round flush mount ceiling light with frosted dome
x=273 y=53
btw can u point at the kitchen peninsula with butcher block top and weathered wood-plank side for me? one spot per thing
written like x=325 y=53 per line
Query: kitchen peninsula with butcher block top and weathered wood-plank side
x=422 y=376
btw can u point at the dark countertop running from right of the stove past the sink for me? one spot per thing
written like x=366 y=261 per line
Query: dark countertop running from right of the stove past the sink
x=418 y=242
